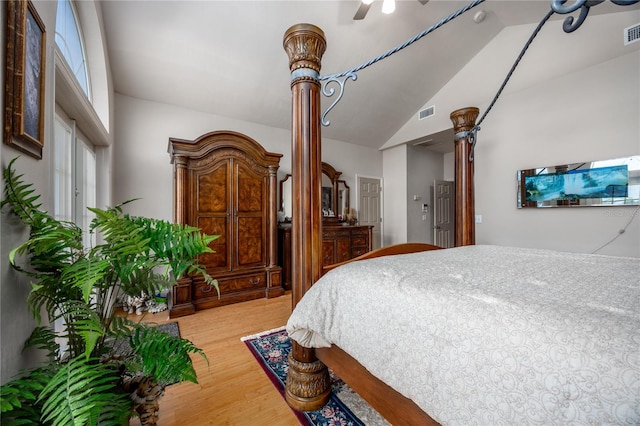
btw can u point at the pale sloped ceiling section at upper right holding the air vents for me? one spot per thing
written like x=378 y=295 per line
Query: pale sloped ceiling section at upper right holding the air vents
x=553 y=53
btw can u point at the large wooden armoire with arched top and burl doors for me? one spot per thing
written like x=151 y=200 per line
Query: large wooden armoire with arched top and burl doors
x=225 y=184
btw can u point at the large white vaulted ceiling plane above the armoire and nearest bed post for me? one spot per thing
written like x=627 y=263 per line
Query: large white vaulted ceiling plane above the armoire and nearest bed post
x=226 y=57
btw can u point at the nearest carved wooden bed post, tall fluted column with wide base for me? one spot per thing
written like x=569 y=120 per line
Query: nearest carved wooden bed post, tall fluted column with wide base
x=308 y=385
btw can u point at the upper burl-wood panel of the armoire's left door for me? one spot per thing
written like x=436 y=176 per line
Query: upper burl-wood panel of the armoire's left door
x=212 y=192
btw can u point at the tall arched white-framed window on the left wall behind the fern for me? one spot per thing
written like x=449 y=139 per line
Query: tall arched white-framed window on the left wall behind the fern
x=80 y=151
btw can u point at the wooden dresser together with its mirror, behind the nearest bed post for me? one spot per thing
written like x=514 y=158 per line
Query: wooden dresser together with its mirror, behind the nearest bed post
x=340 y=240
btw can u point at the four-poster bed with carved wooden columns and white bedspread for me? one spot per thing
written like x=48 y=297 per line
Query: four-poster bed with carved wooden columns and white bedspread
x=314 y=348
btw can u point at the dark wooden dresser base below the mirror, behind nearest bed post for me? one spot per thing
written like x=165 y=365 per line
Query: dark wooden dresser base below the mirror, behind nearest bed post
x=339 y=243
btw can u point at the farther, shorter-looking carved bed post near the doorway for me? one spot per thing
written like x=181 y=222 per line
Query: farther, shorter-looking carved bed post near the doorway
x=463 y=121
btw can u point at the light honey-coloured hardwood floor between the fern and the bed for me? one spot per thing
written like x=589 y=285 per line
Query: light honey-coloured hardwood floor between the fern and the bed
x=233 y=389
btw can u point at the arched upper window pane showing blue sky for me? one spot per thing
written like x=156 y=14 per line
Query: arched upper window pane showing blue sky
x=70 y=42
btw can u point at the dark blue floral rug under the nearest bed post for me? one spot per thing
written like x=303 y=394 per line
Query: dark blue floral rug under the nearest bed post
x=345 y=407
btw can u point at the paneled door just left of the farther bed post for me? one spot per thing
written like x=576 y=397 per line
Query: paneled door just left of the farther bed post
x=443 y=216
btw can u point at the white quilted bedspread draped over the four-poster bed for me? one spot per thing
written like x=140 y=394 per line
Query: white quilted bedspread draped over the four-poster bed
x=489 y=335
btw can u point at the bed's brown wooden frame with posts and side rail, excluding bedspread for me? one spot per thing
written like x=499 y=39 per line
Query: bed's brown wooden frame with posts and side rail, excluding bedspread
x=308 y=384
